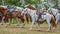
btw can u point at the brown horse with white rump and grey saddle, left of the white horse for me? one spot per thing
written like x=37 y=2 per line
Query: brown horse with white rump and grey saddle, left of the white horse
x=15 y=12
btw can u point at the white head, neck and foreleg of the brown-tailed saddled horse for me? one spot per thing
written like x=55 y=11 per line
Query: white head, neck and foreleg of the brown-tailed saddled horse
x=33 y=15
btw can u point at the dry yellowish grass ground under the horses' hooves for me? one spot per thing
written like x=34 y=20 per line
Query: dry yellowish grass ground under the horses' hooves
x=13 y=29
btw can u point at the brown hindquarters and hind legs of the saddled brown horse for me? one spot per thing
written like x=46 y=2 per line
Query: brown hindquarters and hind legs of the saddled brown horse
x=20 y=18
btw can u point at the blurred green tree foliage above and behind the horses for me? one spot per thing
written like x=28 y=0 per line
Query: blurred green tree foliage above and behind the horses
x=36 y=3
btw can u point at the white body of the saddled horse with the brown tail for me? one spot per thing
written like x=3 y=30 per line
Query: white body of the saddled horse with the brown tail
x=34 y=18
